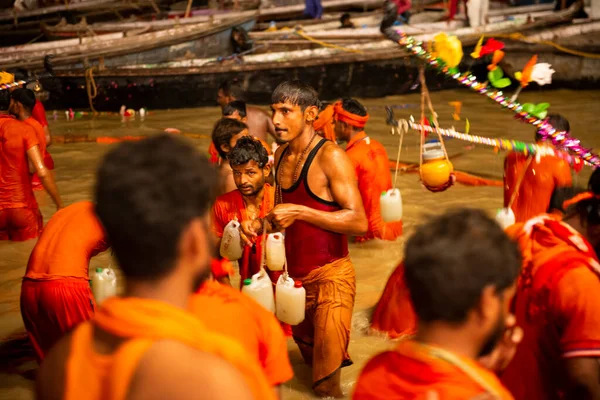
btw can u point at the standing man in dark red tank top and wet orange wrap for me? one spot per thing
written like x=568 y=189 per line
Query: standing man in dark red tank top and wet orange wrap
x=317 y=204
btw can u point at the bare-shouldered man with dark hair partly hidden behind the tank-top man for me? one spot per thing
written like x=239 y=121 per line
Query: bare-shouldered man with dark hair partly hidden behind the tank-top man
x=259 y=123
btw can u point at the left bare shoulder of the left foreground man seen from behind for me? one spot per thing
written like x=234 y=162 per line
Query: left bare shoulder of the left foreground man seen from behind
x=51 y=376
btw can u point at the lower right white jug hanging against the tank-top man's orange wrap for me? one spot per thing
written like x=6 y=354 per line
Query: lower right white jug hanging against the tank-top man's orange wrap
x=291 y=300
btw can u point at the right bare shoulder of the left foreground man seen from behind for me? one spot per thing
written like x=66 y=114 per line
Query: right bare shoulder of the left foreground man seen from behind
x=170 y=369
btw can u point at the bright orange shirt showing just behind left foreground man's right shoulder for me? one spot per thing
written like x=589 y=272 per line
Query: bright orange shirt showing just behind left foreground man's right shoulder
x=226 y=310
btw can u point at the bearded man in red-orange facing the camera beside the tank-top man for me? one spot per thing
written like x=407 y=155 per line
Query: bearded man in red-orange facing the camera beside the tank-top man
x=253 y=198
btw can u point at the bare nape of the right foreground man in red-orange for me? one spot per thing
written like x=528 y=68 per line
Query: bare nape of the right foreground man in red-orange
x=447 y=337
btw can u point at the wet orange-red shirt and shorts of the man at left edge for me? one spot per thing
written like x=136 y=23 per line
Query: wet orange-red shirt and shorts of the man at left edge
x=20 y=218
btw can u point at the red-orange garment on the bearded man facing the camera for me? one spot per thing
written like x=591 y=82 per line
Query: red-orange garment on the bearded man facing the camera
x=230 y=206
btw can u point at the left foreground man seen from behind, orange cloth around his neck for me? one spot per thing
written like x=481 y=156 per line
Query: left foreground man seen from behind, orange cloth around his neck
x=145 y=344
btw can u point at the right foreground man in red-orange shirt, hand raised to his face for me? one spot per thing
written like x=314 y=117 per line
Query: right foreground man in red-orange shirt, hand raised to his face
x=461 y=270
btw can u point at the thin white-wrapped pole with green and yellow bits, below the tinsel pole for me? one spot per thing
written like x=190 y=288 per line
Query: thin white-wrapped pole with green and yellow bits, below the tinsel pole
x=502 y=144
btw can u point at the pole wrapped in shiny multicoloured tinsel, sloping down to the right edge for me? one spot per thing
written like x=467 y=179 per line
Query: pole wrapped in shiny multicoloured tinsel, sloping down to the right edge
x=561 y=139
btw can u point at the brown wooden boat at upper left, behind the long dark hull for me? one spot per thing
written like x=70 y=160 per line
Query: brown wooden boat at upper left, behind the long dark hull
x=177 y=43
